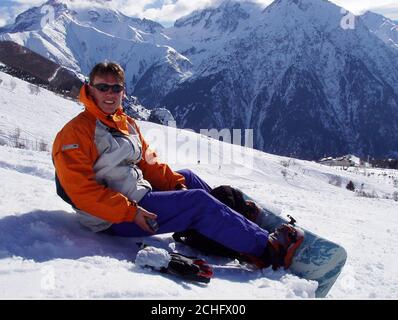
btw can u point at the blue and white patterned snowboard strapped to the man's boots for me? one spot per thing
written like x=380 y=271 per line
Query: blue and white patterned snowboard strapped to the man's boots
x=317 y=258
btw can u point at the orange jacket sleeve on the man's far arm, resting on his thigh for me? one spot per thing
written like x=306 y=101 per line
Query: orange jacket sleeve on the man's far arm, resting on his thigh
x=159 y=175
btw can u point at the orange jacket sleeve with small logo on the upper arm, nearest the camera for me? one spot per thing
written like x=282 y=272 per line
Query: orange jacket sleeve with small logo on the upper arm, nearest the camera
x=74 y=154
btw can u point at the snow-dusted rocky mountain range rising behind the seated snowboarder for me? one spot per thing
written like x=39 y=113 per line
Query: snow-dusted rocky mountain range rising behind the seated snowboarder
x=305 y=82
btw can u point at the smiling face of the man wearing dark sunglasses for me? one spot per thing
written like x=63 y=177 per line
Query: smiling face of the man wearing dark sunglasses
x=107 y=101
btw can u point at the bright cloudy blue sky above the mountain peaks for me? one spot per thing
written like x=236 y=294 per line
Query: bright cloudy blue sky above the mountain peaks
x=167 y=11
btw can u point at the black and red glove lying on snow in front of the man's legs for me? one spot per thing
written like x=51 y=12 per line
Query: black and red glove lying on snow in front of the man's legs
x=189 y=268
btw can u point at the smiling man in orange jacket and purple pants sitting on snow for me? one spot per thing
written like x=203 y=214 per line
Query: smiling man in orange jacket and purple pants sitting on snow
x=107 y=172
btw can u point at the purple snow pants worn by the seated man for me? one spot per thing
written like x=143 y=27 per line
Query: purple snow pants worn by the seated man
x=196 y=209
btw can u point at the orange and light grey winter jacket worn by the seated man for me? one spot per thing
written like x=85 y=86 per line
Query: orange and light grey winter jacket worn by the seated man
x=104 y=166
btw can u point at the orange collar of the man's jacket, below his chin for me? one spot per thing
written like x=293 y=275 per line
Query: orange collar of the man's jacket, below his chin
x=117 y=120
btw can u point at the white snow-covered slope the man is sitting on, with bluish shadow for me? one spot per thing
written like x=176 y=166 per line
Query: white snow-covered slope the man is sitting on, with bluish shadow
x=45 y=253
